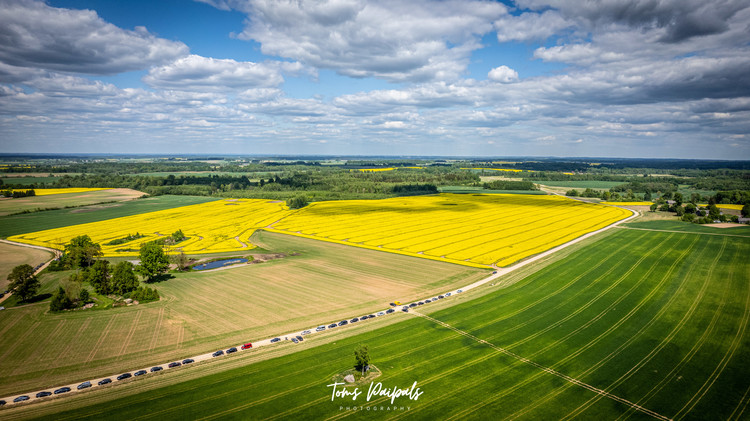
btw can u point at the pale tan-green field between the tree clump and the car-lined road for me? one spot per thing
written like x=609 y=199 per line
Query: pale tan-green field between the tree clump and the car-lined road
x=203 y=311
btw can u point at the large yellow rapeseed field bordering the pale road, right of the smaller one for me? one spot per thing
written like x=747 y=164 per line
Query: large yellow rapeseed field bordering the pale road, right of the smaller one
x=467 y=229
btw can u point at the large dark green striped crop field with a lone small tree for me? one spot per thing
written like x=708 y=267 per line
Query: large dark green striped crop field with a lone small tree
x=639 y=325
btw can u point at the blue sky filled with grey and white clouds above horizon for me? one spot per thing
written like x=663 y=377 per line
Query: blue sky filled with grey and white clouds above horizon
x=607 y=78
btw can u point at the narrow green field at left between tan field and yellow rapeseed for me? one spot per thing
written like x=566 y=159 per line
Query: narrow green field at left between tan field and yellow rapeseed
x=35 y=221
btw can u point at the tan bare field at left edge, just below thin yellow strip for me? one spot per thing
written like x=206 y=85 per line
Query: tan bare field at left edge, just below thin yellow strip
x=10 y=206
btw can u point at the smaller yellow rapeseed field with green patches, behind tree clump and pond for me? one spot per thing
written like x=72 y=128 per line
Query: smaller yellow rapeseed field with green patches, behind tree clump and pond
x=224 y=225
